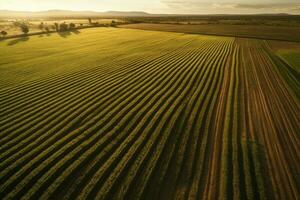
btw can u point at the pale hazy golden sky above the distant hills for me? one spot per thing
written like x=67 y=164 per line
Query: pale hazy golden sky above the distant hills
x=159 y=6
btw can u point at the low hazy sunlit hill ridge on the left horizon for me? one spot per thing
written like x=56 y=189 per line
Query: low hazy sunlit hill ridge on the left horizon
x=67 y=13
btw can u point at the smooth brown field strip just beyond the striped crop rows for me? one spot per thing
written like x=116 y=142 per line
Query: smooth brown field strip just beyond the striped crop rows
x=288 y=33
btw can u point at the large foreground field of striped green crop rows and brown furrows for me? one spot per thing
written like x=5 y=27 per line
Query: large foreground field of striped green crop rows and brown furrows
x=111 y=113
